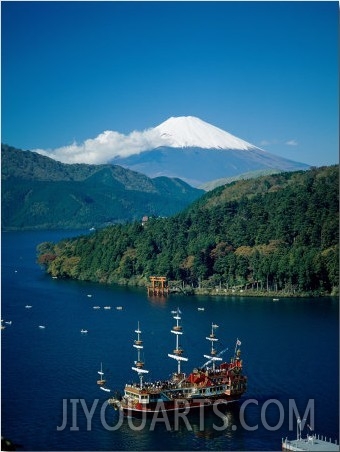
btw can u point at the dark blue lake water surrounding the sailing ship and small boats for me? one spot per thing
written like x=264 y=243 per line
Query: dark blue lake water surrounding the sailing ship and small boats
x=290 y=350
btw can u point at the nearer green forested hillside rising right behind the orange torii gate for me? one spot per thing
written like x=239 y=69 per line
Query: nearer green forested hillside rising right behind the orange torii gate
x=278 y=232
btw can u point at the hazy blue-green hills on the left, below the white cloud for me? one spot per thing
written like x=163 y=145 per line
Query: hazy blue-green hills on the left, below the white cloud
x=38 y=192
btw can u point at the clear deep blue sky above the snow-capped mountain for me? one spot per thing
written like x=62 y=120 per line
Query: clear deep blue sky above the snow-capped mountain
x=266 y=72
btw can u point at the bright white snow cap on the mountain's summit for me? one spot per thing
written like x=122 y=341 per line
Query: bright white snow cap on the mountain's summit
x=189 y=131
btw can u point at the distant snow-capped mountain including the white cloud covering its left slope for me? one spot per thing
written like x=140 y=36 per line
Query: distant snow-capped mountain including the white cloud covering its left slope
x=184 y=147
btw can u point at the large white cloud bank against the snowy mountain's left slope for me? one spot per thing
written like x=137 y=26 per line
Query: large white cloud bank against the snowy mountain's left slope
x=105 y=147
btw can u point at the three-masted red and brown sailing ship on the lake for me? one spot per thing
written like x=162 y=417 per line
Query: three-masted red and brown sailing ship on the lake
x=215 y=383
